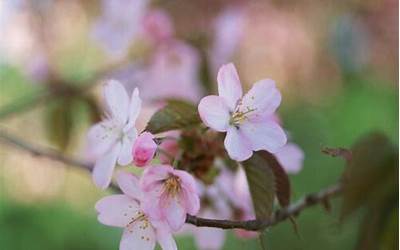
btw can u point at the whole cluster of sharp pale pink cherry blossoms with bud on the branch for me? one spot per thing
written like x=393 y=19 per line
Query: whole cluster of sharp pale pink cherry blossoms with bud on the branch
x=154 y=205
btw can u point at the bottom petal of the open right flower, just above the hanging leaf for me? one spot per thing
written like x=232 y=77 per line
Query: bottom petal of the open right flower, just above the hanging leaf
x=236 y=145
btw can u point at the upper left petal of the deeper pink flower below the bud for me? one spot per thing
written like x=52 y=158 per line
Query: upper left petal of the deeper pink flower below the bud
x=153 y=176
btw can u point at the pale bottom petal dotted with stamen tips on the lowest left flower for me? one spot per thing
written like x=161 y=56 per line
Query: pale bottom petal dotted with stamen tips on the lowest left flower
x=140 y=235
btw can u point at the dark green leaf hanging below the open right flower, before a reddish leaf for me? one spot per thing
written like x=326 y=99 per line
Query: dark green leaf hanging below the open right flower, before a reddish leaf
x=261 y=183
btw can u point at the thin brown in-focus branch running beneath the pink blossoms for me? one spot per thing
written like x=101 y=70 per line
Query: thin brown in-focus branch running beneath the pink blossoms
x=251 y=225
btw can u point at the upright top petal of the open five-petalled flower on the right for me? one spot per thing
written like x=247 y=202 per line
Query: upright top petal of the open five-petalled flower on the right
x=229 y=86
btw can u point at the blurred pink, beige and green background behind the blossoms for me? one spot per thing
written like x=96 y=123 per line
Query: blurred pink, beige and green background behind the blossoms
x=336 y=63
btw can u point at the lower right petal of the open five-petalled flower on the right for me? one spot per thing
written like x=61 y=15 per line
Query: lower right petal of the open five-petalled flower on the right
x=266 y=135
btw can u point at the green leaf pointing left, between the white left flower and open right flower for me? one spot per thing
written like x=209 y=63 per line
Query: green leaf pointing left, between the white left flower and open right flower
x=177 y=114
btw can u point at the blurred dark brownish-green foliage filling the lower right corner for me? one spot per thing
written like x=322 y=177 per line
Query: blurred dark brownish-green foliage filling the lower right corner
x=371 y=180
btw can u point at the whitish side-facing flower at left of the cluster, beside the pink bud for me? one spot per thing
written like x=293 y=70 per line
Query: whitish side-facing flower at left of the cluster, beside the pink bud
x=111 y=140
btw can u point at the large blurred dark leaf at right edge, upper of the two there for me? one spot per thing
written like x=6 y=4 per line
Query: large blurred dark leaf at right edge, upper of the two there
x=371 y=177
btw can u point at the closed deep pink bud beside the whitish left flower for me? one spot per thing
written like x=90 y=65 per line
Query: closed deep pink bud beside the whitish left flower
x=144 y=149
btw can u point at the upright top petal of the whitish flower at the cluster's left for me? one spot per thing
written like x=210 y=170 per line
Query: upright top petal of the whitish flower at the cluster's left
x=117 y=100
